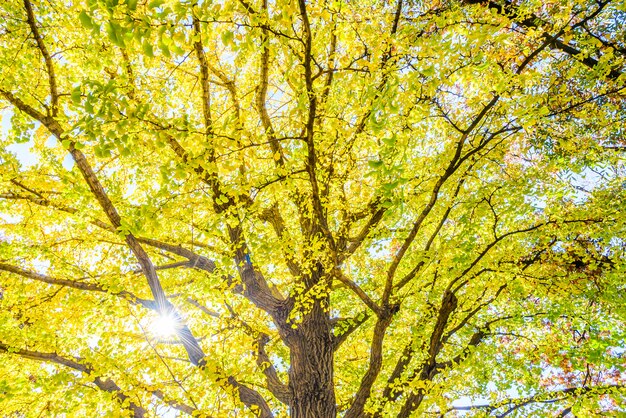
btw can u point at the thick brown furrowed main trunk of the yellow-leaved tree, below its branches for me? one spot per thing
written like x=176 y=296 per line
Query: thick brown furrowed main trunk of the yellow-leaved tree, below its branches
x=311 y=374
